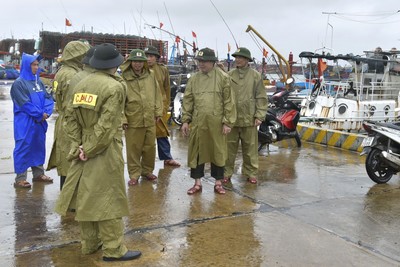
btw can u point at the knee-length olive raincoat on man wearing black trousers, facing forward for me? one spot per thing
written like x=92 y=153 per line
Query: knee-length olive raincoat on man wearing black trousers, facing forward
x=208 y=103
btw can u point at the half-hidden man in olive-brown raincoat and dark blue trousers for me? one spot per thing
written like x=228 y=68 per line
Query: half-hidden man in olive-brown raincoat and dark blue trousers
x=162 y=76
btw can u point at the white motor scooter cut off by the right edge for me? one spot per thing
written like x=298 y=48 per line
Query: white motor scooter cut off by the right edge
x=382 y=147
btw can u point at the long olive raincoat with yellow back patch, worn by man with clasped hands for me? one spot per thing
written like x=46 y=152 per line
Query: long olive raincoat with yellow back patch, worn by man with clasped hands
x=96 y=187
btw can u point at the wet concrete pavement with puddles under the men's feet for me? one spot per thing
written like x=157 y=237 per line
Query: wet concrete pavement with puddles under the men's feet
x=313 y=206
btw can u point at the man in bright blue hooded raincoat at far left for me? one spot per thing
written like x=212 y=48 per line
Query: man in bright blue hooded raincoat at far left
x=32 y=107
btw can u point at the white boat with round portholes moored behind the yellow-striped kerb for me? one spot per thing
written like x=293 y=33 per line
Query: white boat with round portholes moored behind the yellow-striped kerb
x=369 y=92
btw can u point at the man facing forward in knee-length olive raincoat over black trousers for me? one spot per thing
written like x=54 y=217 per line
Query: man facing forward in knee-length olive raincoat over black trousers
x=209 y=108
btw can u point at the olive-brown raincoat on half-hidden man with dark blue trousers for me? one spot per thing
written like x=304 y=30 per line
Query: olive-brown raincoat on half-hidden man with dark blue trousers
x=162 y=76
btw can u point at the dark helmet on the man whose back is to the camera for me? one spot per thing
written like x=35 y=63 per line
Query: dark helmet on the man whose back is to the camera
x=106 y=56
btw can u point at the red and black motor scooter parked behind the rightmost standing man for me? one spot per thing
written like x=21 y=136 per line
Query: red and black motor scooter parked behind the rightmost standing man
x=280 y=121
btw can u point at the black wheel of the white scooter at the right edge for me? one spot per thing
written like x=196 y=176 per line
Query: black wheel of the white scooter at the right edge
x=377 y=169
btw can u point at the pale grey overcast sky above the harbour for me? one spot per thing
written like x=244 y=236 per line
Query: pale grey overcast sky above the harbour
x=288 y=25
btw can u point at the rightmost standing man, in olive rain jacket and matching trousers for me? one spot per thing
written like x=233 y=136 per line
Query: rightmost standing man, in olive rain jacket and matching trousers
x=251 y=106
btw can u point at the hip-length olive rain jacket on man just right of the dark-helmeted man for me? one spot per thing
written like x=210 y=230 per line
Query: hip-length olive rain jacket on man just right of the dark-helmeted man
x=143 y=98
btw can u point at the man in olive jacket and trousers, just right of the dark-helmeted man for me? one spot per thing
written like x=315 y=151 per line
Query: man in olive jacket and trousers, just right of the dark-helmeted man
x=143 y=108
